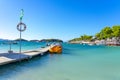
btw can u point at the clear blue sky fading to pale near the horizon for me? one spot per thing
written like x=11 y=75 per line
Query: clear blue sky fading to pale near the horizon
x=60 y=19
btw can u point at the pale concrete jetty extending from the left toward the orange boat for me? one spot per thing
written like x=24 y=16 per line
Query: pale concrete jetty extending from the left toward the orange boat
x=6 y=58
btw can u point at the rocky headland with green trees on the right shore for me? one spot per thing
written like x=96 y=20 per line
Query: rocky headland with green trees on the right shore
x=107 y=36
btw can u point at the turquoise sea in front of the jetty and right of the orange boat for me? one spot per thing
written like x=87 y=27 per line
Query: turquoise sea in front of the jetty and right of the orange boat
x=77 y=62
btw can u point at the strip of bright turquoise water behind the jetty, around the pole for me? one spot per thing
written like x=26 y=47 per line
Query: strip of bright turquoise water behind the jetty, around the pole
x=25 y=46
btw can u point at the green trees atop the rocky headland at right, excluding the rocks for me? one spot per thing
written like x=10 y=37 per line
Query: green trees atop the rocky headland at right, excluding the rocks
x=106 y=32
